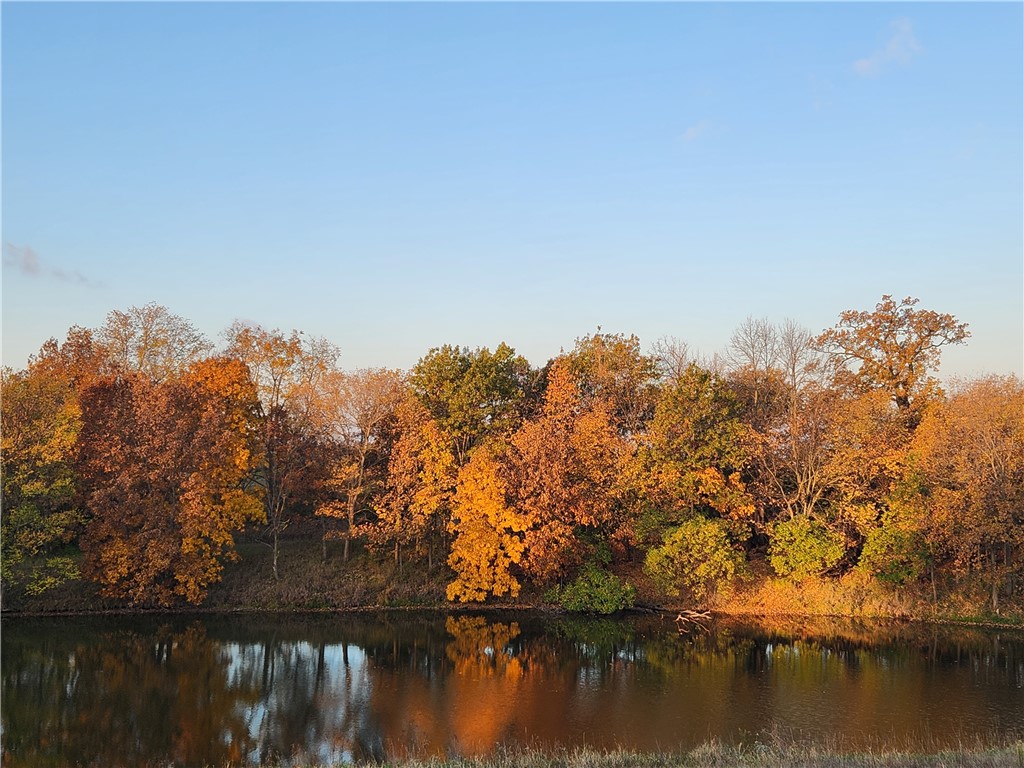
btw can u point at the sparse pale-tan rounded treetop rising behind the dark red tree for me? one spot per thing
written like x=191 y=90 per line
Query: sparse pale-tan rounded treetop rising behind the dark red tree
x=153 y=340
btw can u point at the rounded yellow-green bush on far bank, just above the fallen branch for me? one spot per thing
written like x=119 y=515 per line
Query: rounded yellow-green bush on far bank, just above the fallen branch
x=697 y=557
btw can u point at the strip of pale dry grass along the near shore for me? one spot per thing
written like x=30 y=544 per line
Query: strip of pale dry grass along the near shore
x=720 y=756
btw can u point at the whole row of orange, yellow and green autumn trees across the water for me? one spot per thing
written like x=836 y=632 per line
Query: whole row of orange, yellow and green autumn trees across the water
x=134 y=455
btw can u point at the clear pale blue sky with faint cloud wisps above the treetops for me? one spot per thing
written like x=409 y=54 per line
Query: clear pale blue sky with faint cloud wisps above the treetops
x=400 y=177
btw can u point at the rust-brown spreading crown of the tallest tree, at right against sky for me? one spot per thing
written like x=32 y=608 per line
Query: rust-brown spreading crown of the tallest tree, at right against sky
x=893 y=349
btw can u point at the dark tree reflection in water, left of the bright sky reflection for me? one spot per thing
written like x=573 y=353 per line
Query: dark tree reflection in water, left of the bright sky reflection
x=124 y=699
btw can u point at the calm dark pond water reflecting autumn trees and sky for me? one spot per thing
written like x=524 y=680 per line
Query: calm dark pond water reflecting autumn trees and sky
x=249 y=691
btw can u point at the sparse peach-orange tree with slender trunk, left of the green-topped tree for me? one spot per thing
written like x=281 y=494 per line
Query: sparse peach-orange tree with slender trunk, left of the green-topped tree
x=359 y=414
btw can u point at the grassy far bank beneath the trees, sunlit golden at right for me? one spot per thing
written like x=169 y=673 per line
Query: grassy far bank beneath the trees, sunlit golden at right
x=311 y=582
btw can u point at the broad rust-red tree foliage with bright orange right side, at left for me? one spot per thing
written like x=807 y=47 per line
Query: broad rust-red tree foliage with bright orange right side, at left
x=162 y=467
